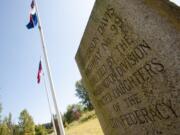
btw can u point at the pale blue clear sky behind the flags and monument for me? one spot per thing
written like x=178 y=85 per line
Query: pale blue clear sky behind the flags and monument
x=63 y=23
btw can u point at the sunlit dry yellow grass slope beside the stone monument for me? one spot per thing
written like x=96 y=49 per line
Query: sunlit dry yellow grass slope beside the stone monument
x=88 y=124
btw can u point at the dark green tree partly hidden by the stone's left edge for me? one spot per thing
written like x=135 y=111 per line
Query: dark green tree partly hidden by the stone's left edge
x=82 y=93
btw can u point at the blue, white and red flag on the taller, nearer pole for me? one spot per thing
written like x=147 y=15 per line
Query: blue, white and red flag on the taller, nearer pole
x=33 y=17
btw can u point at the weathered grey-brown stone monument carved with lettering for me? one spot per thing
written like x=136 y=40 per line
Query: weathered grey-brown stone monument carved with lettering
x=129 y=58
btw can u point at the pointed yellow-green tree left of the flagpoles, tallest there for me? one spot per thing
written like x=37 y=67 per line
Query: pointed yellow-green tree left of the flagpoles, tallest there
x=26 y=124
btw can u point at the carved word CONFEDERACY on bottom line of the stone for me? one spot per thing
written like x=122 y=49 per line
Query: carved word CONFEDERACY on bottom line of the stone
x=147 y=114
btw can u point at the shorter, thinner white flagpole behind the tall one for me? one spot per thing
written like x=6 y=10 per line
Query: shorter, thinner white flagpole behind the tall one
x=54 y=126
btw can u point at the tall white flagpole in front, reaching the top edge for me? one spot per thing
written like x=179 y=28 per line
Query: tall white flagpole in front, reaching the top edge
x=59 y=118
